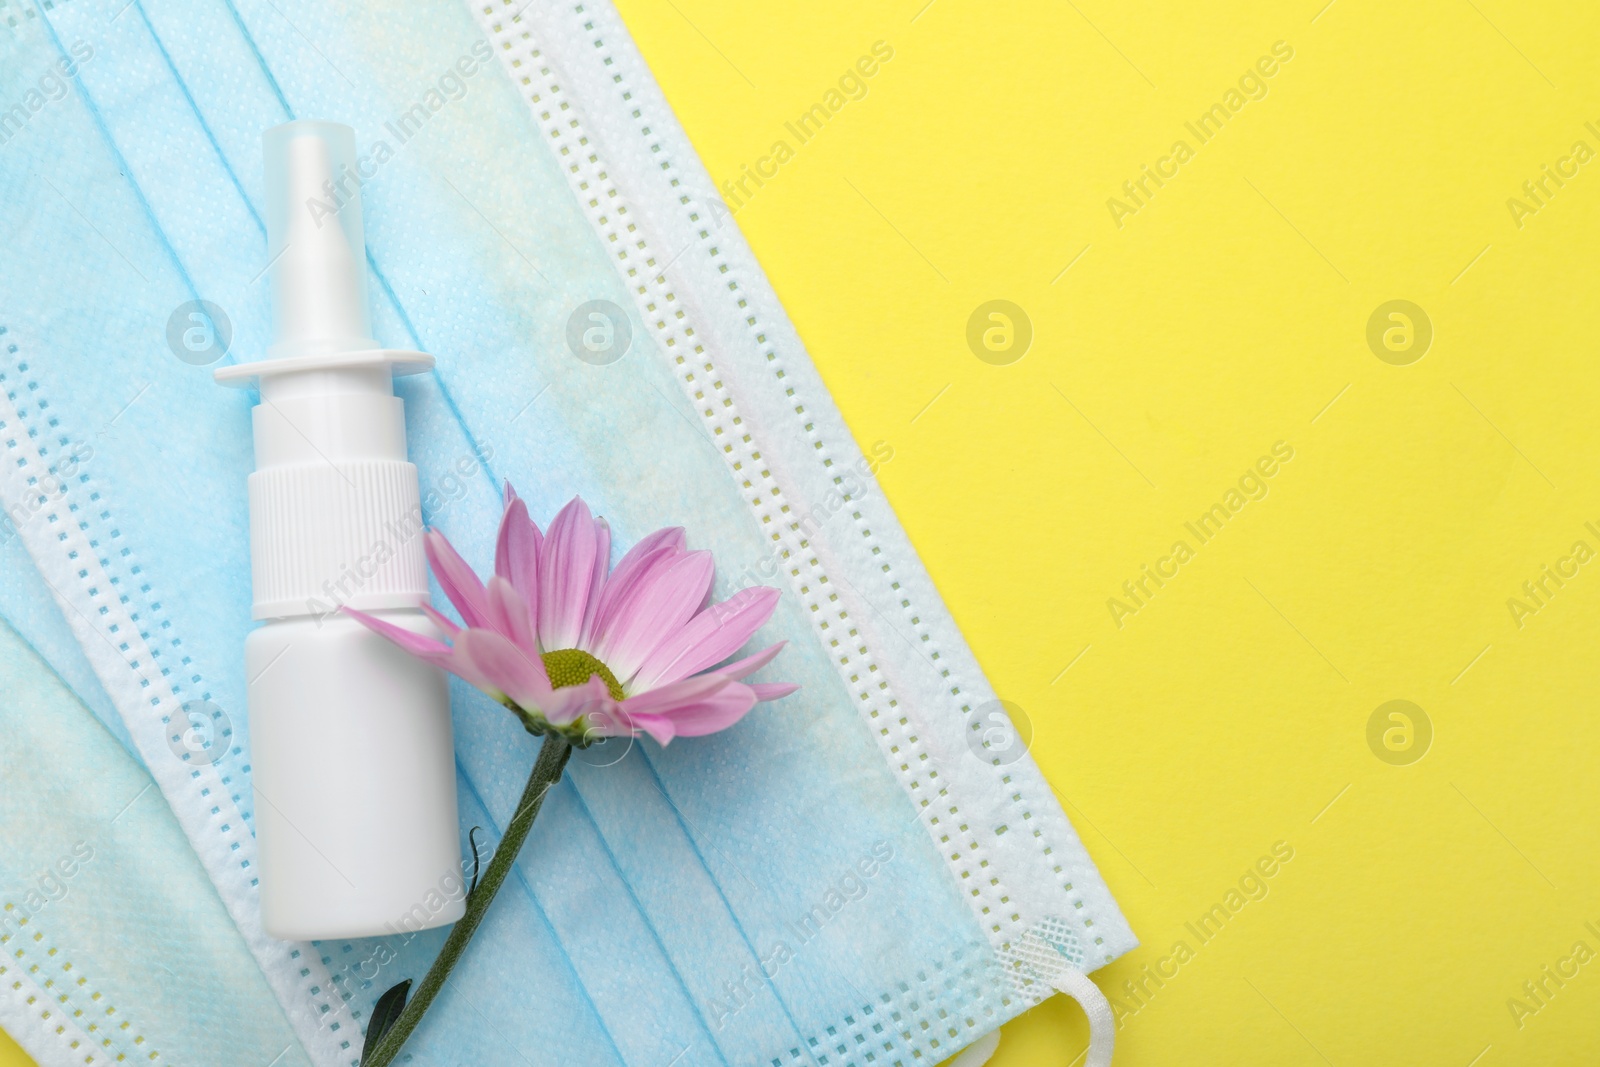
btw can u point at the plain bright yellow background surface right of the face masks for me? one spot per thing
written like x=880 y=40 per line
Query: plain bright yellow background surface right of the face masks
x=1230 y=314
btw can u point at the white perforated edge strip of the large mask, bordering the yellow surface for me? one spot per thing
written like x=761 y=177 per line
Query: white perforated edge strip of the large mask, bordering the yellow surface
x=639 y=158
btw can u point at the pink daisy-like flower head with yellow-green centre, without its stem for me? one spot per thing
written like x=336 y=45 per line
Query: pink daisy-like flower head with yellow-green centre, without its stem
x=590 y=653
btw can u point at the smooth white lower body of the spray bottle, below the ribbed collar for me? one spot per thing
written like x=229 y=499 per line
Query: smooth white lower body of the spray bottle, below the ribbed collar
x=356 y=780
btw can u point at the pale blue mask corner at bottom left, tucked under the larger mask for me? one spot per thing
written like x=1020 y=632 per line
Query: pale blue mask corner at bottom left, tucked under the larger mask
x=97 y=959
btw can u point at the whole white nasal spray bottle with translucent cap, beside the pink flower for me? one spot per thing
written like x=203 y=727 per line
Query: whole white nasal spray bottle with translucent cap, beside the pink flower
x=351 y=743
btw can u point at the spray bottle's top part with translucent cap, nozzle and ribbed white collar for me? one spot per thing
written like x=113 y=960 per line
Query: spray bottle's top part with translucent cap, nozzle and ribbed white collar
x=332 y=478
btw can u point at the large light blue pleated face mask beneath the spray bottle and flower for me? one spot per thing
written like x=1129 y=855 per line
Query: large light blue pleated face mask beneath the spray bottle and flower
x=857 y=874
